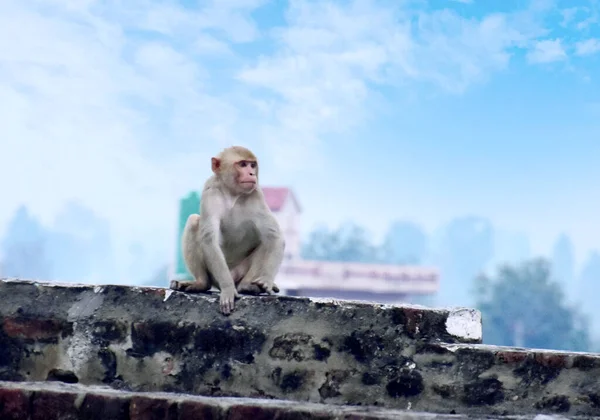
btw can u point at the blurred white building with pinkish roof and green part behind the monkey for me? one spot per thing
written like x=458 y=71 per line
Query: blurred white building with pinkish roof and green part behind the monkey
x=384 y=283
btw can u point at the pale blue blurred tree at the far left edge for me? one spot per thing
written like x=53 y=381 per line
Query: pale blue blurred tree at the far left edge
x=24 y=248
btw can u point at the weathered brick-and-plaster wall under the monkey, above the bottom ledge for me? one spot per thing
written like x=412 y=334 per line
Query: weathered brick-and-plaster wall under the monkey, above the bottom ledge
x=150 y=339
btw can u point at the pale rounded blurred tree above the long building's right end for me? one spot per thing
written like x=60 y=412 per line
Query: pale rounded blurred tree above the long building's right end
x=405 y=243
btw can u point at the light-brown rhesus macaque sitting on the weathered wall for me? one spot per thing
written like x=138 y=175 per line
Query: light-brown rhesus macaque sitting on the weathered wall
x=235 y=243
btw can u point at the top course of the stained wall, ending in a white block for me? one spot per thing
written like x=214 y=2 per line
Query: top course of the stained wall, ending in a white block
x=71 y=302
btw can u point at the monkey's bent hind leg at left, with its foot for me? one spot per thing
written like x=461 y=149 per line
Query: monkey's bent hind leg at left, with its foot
x=194 y=260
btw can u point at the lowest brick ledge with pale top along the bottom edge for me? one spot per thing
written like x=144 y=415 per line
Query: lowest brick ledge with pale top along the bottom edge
x=49 y=401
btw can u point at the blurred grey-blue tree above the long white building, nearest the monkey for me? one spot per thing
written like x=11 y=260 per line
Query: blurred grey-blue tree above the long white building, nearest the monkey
x=348 y=243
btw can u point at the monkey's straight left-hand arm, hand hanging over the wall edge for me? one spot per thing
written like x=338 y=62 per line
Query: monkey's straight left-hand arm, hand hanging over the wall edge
x=212 y=209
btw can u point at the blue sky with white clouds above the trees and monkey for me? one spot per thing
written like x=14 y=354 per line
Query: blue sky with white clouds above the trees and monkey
x=370 y=110
